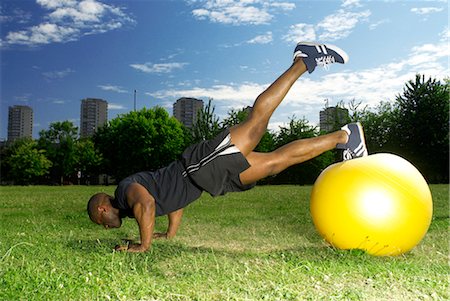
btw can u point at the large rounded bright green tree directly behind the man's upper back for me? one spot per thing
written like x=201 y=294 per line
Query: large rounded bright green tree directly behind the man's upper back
x=144 y=140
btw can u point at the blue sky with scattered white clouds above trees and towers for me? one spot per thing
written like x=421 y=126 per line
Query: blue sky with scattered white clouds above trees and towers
x=56 y=52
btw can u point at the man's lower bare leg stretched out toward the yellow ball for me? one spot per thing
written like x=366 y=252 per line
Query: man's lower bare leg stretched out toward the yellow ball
x=267 y=164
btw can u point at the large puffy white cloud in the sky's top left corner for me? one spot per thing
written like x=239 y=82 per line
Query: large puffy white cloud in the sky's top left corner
x=68 y=20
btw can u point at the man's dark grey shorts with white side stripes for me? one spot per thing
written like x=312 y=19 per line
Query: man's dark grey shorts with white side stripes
x=214 y=165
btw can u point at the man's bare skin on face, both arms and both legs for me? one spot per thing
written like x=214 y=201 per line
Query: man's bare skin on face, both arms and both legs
x=245 y=137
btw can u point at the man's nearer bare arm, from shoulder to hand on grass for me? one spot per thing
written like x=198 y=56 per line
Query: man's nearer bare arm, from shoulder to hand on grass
x=143 y=206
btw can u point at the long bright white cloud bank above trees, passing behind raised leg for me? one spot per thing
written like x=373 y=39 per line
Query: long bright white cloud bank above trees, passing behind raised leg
x=306 y=98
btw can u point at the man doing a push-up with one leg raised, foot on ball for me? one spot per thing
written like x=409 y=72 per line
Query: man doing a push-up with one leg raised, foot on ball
x=224 y=164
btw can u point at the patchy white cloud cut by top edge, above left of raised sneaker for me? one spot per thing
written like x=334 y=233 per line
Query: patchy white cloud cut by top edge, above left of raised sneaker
x=239 y=12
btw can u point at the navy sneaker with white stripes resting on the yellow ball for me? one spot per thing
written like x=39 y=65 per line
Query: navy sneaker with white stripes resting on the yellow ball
x=356 y=144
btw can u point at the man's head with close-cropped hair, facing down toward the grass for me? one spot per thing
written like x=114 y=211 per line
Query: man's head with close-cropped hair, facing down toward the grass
x=102 y=212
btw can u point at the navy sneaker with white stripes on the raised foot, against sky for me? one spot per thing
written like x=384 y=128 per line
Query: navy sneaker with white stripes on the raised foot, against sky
x=314 y=54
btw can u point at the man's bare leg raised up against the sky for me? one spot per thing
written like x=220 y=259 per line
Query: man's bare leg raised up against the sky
x=247 y=134
